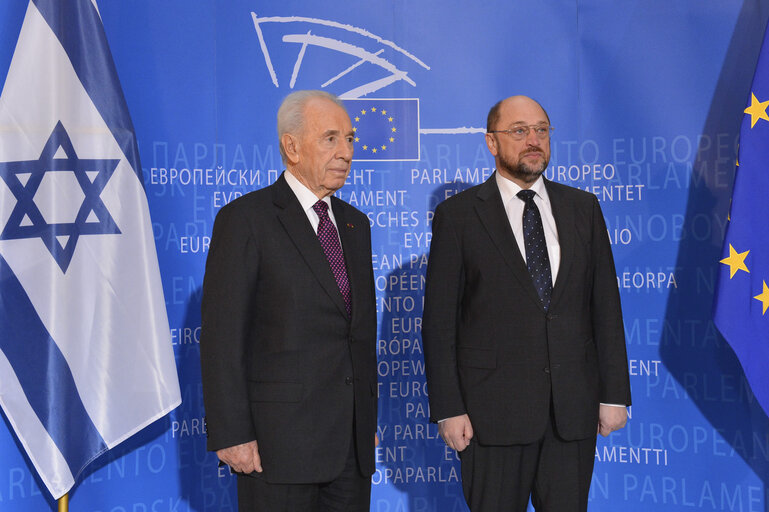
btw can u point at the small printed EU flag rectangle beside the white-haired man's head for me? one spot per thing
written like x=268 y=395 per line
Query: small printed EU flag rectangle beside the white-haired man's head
x=385 y=129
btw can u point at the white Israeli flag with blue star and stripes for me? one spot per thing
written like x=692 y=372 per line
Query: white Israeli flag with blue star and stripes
x=85 y=351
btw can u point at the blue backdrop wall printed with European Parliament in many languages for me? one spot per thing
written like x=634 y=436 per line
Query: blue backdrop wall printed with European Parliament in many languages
x=646 y=99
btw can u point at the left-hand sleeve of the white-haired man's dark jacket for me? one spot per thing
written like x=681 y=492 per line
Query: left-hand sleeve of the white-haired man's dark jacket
x=228 y=290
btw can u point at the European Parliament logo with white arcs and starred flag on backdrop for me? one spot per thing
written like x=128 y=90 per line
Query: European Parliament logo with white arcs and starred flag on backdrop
x=360 y=63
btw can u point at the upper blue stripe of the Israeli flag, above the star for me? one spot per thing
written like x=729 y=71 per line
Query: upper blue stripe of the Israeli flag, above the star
x=78 y=27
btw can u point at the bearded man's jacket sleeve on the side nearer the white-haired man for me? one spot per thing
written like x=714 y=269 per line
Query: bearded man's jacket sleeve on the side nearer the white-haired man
x=443 y=296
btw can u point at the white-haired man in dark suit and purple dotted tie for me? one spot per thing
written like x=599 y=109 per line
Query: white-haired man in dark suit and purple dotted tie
x=289 y=326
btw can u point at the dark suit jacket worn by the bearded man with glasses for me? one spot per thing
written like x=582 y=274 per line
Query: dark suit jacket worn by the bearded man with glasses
x=492 y=351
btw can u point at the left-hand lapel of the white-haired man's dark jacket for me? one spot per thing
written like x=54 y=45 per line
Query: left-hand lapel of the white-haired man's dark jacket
x=299 y=229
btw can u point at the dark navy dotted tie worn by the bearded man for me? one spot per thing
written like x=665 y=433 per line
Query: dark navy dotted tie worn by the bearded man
x=536 y=248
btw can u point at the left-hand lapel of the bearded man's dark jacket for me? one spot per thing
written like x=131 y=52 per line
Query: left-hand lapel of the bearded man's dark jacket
x=494 y=219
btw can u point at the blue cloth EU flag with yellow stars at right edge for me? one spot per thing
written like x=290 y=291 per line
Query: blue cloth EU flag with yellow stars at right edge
x=742 y=296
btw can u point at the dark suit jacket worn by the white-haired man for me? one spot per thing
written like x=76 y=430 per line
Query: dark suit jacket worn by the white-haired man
x=282 y=363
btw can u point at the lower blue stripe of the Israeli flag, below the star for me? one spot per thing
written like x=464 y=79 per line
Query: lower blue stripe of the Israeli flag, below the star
x=45 y=376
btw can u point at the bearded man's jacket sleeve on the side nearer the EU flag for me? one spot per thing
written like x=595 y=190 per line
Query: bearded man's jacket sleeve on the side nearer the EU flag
x=608 y=328
